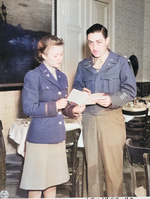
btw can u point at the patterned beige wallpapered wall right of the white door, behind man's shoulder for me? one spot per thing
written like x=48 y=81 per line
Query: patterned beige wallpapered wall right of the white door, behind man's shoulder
x=129 y=29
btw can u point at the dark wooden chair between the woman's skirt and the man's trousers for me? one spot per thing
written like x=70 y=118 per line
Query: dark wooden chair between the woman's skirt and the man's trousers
x=72 y=185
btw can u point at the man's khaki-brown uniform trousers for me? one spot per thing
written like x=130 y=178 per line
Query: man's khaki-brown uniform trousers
x=104 y=139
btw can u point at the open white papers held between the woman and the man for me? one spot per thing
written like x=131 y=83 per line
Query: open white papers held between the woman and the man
x=80 y=97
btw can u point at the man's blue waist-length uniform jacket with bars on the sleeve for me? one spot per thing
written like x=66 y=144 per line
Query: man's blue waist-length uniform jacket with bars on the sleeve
x=114 y=78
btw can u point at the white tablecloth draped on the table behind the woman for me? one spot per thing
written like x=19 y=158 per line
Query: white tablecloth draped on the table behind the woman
x=18 y=132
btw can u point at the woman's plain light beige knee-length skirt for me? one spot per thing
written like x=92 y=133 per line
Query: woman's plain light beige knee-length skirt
x=45 y=166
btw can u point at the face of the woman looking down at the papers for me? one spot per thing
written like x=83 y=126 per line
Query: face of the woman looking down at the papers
x=53 y=55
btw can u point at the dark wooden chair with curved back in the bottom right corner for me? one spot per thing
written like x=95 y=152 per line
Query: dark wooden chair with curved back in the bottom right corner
x=135 y=157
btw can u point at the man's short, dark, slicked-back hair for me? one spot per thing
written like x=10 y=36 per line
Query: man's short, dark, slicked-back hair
x=97 y=28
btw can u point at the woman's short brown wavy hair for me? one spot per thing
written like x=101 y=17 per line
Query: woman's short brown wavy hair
x=44 y=43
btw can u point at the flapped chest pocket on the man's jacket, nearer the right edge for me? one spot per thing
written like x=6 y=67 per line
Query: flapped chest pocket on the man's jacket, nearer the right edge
x=110 y=83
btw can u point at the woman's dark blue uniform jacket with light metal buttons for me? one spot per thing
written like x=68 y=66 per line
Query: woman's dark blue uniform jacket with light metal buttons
x=40 y=93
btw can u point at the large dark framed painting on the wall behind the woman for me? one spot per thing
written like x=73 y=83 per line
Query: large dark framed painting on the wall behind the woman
x=22 y=24
